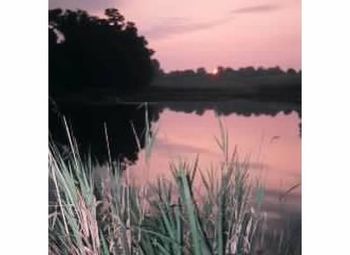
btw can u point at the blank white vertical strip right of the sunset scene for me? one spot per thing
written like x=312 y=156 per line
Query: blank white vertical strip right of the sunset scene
x=326 y=127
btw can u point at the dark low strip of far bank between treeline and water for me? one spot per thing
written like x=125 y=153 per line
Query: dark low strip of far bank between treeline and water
x=158 y=95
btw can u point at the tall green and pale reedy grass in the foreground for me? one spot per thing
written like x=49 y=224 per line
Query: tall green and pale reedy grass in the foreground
x=92 y=214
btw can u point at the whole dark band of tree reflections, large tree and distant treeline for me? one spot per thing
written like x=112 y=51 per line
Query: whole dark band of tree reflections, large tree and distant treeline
x=87 y=122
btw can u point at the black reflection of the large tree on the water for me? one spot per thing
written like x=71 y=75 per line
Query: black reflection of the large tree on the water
x=87 y=124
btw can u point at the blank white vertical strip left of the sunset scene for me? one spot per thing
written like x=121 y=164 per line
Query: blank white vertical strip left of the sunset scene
x=24 y=127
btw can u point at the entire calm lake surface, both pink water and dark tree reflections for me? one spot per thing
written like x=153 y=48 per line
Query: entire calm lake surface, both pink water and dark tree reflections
x=267 y=133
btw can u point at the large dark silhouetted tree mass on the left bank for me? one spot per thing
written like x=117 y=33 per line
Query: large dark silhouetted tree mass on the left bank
x=87 y=51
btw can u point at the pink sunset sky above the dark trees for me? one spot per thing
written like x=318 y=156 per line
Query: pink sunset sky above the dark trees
x=206 y=33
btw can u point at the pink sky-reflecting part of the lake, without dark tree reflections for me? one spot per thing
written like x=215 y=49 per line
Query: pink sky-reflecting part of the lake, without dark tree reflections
x=272 y=144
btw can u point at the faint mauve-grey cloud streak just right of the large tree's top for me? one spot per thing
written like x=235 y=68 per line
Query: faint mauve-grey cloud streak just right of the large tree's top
x=175 y=26
